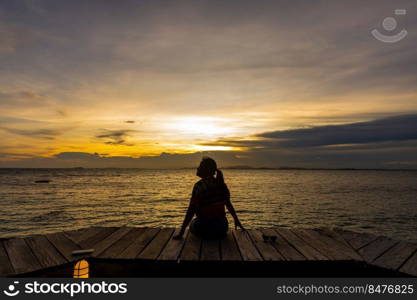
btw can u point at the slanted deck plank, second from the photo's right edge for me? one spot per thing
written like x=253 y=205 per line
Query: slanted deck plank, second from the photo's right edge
x=395 y=257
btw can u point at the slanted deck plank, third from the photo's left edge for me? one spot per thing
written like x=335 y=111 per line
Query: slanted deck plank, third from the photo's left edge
x=46 y=253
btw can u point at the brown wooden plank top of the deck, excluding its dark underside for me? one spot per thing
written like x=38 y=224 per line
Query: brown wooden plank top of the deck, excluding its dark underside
x=20 y=256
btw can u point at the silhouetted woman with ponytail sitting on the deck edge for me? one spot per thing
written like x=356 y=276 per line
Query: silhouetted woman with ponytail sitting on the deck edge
x=209 y=198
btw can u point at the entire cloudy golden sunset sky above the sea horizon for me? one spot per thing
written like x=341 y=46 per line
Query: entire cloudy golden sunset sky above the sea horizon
x=156 y=83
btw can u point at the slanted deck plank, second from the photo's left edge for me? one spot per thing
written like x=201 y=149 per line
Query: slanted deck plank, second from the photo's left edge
x=21 y=257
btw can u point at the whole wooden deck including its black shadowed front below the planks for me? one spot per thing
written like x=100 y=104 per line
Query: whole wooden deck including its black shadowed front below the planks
x=132 y=251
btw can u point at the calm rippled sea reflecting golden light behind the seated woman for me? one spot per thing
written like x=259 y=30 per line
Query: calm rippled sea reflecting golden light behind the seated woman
x=380 y=202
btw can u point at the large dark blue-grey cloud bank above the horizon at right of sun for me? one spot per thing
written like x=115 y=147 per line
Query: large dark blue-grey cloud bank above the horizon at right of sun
x=382 y=143
